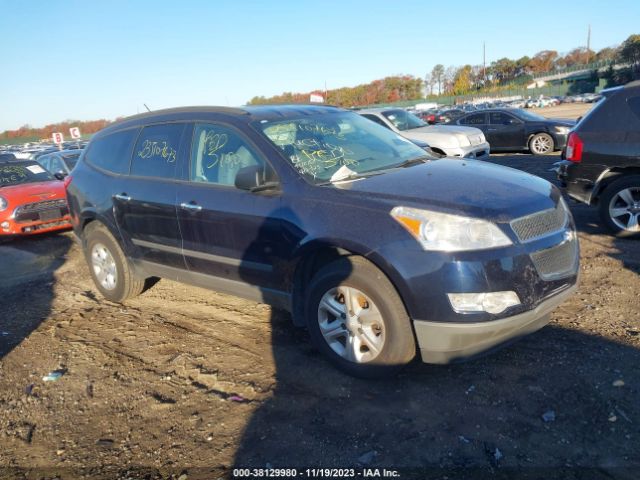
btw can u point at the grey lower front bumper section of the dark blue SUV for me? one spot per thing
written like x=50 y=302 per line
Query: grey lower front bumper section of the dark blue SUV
x=441 y=342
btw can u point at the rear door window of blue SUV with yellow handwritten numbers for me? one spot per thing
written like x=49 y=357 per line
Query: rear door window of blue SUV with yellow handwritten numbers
x=156 y=151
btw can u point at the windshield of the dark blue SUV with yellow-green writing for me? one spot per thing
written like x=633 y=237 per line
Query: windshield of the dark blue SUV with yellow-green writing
x=319 y=145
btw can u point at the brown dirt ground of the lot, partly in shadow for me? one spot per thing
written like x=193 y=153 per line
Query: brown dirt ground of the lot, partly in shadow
x=187 y=381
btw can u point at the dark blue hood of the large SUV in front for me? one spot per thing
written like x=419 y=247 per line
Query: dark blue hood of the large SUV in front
x=465 y=187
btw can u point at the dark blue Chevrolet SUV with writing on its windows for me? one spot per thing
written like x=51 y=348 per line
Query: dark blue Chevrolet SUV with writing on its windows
x=371 y=243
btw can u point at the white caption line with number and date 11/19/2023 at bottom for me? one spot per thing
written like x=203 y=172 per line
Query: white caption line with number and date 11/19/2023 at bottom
x=242 y=473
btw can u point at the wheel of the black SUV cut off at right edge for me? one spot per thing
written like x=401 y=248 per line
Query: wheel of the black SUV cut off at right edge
x=622 y=194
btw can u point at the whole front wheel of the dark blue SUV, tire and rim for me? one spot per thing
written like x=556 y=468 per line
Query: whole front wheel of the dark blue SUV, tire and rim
x=376 y=347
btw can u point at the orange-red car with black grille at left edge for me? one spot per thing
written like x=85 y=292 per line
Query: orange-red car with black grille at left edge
x=31 y=199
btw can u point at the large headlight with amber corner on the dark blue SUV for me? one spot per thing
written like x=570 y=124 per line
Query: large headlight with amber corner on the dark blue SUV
x=449 y=233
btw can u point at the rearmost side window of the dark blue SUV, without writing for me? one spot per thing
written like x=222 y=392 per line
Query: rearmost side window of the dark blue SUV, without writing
x=112 y=152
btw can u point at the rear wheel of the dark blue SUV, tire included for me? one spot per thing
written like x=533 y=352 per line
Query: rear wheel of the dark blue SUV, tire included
x=108 y=265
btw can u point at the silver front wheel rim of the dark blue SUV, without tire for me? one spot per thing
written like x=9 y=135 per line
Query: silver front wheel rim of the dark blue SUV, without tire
x=351 y=324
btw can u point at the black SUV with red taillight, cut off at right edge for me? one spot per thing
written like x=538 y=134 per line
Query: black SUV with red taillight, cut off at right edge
x=602 y=165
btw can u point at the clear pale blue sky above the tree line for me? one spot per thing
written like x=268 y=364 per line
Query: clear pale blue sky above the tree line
x=73 y=59
